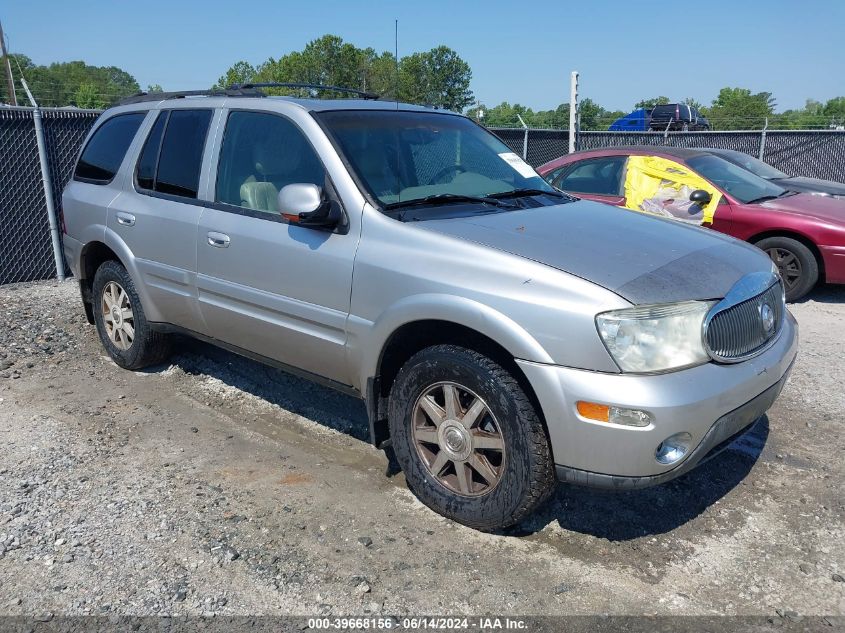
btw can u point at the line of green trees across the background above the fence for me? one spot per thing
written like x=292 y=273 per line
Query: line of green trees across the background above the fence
x=438 y=77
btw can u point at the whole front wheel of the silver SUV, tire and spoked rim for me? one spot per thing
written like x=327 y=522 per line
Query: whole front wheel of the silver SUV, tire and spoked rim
x=468 y=438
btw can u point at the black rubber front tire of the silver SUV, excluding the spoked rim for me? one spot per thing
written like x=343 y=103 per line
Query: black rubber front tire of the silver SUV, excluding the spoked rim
x=527 y=475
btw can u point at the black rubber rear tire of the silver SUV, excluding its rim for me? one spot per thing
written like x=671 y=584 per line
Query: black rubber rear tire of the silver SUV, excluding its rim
x=146 y=347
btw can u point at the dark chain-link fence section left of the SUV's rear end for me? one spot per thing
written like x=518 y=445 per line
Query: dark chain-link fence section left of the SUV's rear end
x=26 y=251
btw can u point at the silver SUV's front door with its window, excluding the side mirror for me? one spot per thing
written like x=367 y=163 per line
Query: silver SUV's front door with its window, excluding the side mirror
x=264 y=284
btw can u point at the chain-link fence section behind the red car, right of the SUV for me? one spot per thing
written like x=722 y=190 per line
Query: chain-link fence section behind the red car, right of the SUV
x=813 y=153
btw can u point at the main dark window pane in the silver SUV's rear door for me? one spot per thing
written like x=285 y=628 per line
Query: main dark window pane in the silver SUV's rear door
x=180 y=158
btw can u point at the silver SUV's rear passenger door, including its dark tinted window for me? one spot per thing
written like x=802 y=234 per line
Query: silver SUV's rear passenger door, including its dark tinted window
x=157 y=213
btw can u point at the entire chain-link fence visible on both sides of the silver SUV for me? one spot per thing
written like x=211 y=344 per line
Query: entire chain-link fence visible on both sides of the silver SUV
x=25 y=247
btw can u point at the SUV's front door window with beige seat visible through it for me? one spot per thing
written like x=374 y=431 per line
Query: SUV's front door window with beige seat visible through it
x=261 y=154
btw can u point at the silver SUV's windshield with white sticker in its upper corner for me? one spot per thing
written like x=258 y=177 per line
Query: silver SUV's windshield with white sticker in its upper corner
x=424 y=158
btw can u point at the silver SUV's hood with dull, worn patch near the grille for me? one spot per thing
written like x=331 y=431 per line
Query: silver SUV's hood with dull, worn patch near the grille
x=644 y=259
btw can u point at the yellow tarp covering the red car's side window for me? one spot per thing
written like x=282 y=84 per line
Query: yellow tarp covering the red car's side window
x=662 y=187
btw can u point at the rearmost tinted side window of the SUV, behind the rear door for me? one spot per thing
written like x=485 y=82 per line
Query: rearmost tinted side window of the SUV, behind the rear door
x=103 y=154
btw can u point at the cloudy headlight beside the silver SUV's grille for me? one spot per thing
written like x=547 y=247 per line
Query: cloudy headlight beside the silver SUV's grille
x=655 y=338
